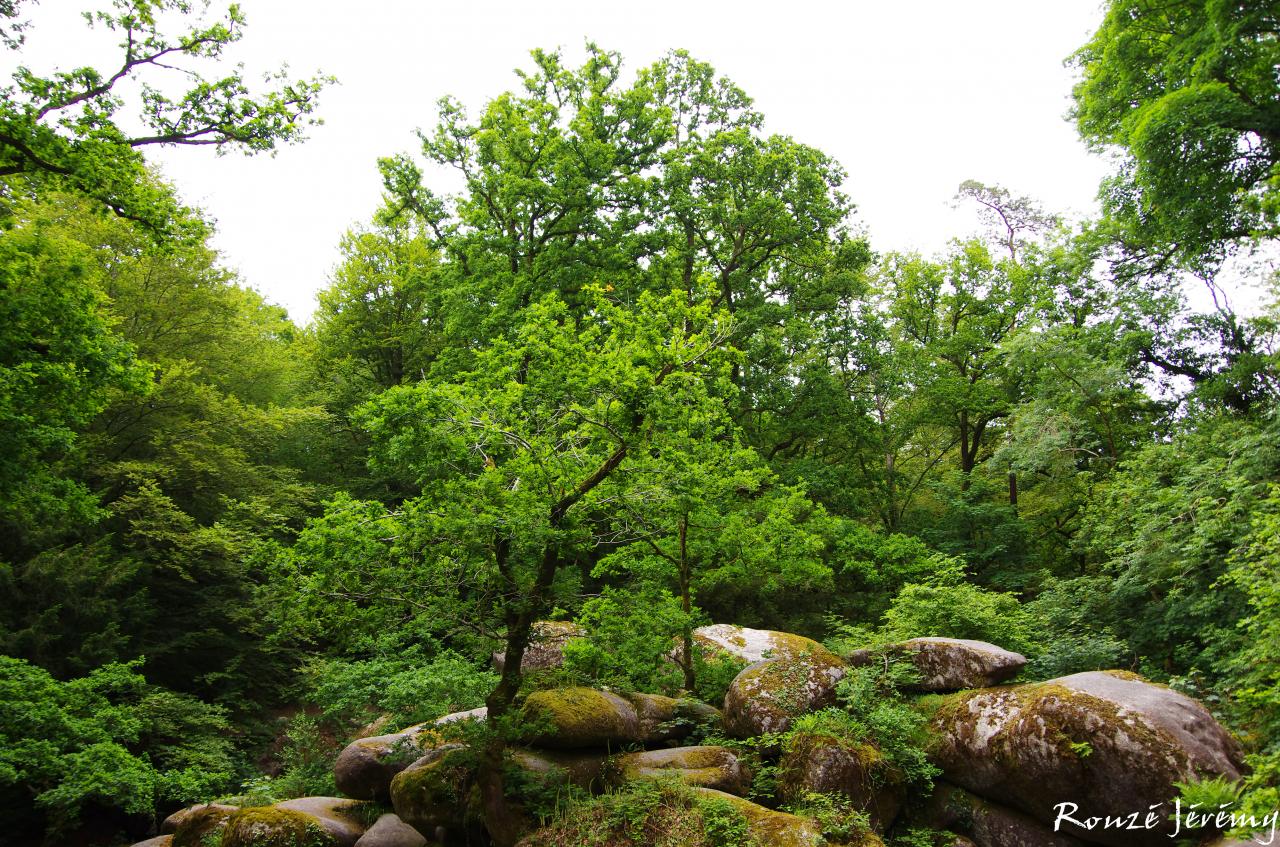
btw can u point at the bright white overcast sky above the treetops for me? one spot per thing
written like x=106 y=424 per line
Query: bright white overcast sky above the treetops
x=911 y=98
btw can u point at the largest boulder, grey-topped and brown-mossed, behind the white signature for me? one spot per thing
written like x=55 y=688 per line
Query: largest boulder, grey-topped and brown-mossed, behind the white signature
x=1109 y=743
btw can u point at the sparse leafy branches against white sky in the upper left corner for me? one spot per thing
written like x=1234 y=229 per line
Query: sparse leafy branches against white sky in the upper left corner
x=65 y=131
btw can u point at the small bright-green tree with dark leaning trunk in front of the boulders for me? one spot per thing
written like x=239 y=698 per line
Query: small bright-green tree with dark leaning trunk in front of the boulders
x=523 y=463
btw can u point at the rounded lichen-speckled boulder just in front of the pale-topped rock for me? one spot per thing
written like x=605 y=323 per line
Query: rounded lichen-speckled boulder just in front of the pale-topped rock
x=769 y=695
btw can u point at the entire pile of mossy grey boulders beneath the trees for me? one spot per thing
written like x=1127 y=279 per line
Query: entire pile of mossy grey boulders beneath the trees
x=1107 y=743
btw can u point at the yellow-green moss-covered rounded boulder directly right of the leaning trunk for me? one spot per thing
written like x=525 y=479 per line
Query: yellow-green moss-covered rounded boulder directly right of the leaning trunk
x=577 y=718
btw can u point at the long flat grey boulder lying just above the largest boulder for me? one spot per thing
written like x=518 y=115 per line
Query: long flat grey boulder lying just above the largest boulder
x=953 y=665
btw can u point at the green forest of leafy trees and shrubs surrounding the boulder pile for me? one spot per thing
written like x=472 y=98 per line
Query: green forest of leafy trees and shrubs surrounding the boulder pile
x=643 y=374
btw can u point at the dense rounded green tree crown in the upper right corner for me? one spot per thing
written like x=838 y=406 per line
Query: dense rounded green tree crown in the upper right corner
x=1187 y=93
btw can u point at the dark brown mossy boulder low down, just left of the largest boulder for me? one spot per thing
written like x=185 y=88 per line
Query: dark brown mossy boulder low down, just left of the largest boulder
x=817 y=762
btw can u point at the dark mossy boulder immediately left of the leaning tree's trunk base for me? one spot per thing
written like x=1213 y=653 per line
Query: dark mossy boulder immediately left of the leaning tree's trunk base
x=436 y=791
